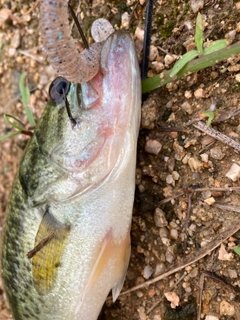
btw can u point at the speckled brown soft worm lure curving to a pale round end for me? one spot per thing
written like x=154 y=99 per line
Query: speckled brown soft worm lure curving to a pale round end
x=60 y=47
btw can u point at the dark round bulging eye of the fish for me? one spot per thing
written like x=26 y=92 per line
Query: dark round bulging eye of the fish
x=59 y=88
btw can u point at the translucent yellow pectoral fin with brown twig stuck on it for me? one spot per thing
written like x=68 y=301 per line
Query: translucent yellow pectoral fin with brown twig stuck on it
x=47 y=258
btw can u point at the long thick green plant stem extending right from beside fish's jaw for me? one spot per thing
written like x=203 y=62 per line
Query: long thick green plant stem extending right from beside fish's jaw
x=193 y=66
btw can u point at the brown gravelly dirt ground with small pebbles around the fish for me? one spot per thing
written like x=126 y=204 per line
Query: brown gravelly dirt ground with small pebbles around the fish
x=184 y=205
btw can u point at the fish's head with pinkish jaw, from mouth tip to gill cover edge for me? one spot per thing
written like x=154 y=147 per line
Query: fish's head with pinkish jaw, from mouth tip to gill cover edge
x=106 y=117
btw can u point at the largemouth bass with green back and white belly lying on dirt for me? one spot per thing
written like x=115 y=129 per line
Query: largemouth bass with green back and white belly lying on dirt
x=67 y=232
